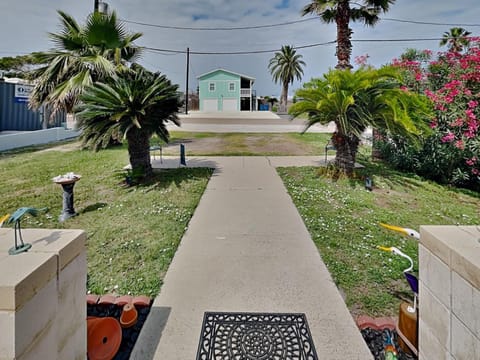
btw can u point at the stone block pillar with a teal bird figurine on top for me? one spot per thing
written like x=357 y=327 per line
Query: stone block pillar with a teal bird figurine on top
x=42 y=296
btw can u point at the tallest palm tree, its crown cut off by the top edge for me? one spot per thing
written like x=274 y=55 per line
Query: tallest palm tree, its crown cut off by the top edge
x=341 y=12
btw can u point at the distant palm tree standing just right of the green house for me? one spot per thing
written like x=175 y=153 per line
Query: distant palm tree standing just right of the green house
x=285 y=66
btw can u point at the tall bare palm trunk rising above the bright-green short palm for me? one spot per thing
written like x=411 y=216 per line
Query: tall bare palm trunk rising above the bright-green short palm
x=344 y=45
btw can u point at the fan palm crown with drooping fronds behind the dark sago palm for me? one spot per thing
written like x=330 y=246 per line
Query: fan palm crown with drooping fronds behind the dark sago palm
x=82 y=55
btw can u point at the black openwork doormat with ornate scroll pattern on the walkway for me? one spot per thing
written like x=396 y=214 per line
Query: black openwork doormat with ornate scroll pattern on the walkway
x=255 y=336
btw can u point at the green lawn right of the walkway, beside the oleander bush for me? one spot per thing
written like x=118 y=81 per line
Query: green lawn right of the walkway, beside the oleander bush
x=343 y=219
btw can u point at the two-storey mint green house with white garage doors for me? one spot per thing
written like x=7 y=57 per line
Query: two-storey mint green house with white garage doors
x=223 y=90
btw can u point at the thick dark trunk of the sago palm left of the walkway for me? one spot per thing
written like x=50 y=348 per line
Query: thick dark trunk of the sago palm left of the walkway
x=139 y=151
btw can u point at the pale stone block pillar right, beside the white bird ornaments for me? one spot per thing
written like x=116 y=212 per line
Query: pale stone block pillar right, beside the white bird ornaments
x=449 y=293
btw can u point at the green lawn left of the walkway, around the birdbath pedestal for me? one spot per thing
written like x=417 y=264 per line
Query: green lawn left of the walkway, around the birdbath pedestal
x=133 y=232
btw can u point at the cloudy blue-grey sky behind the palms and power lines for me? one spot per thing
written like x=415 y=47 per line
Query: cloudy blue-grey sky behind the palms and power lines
x=25 y=25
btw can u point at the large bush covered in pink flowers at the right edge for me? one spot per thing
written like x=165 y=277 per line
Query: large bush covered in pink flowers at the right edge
x=452 y=82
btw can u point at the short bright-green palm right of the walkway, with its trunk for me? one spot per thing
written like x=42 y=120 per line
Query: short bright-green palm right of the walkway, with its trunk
x=356 y=100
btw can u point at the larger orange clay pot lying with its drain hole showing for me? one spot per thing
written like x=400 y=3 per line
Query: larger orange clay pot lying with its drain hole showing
x=104 y=336
